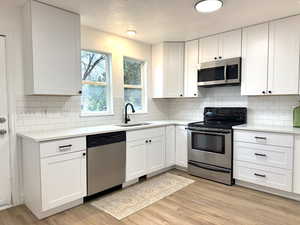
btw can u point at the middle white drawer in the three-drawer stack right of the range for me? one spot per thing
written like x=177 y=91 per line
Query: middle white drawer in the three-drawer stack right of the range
x=265 y=155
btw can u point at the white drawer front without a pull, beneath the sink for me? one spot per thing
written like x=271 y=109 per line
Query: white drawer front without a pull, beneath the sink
x=144 y=133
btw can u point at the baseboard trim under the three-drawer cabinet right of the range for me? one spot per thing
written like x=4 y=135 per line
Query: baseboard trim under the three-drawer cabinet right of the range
x=273 y=191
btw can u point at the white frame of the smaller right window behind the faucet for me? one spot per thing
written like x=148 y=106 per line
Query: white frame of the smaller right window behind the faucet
x=142 y=86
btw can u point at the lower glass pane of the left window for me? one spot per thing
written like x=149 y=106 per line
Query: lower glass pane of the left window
x=94 y=98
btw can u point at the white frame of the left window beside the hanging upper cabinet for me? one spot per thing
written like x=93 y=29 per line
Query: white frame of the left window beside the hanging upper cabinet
x=108 y=84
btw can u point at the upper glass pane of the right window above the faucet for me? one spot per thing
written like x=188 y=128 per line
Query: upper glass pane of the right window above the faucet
x=132 y=71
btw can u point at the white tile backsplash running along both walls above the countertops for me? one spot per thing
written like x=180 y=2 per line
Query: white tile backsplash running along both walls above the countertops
x=49 y=112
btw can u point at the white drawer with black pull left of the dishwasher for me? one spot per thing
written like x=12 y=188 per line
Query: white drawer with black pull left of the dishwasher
x=58 y=147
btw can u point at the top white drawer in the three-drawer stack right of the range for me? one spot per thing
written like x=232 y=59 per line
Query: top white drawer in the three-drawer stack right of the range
x=284 y=140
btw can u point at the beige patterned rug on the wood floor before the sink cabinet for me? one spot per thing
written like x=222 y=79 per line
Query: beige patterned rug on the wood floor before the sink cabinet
x=127 y=201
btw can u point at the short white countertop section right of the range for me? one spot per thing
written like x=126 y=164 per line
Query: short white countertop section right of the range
x=268 y=128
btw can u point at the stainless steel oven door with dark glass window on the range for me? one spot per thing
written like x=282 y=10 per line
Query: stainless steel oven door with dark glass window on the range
x=210 y=147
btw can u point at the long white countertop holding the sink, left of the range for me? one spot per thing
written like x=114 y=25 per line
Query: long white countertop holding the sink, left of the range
x=49 y=135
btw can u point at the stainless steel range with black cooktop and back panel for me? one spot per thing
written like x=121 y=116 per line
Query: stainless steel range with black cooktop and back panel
x=210 y=143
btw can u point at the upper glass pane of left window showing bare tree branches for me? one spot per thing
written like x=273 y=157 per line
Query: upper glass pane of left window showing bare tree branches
x=93 y=66
